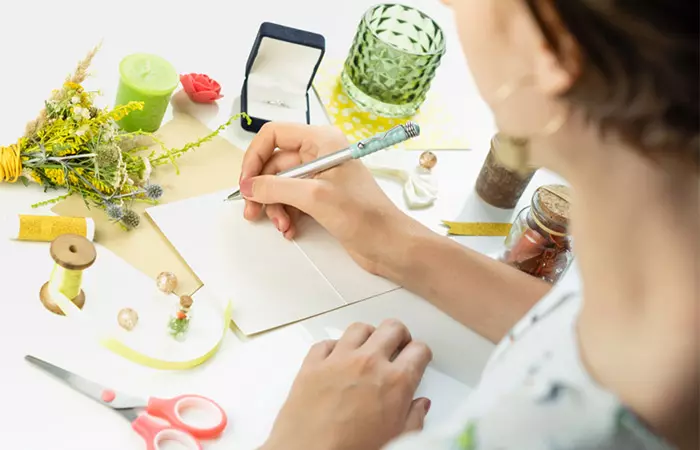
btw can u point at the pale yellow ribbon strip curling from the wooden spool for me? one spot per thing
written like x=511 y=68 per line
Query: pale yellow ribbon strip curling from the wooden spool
x=123 y=350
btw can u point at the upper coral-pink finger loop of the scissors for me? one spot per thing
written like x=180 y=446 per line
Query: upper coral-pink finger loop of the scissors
x=171 y=410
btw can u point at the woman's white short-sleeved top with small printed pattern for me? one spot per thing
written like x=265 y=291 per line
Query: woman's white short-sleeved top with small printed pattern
x=535 y=393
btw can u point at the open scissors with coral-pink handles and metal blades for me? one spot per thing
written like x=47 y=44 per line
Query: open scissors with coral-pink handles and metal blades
x=153 y=431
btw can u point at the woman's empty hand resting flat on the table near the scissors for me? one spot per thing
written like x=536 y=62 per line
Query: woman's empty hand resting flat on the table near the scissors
x=355 y=393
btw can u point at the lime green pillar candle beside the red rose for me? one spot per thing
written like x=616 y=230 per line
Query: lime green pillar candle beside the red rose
x=149 y=79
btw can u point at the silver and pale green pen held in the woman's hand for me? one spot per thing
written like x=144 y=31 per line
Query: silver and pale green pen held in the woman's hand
x=381 y=141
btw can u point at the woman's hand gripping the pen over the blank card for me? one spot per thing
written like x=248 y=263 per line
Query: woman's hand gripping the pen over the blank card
x=346 y=200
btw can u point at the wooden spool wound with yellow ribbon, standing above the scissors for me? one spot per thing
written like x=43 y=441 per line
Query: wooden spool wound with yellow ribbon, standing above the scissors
x=72 y=255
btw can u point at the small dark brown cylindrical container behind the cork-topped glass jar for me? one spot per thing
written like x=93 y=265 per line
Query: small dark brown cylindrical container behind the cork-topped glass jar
x=498 y=185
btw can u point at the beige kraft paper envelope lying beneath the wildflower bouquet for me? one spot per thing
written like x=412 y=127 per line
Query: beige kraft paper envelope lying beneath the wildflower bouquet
x=212 y=167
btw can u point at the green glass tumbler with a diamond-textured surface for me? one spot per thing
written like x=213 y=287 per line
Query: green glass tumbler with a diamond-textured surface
x=393 y=60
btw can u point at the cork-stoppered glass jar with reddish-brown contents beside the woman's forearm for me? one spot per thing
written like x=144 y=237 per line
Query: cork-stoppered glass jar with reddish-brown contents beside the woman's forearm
x=539 y=243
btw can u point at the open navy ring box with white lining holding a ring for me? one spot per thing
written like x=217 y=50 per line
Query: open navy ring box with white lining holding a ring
x=280 y=70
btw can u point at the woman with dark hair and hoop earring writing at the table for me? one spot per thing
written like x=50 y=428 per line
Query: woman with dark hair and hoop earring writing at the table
x=604 y=92
